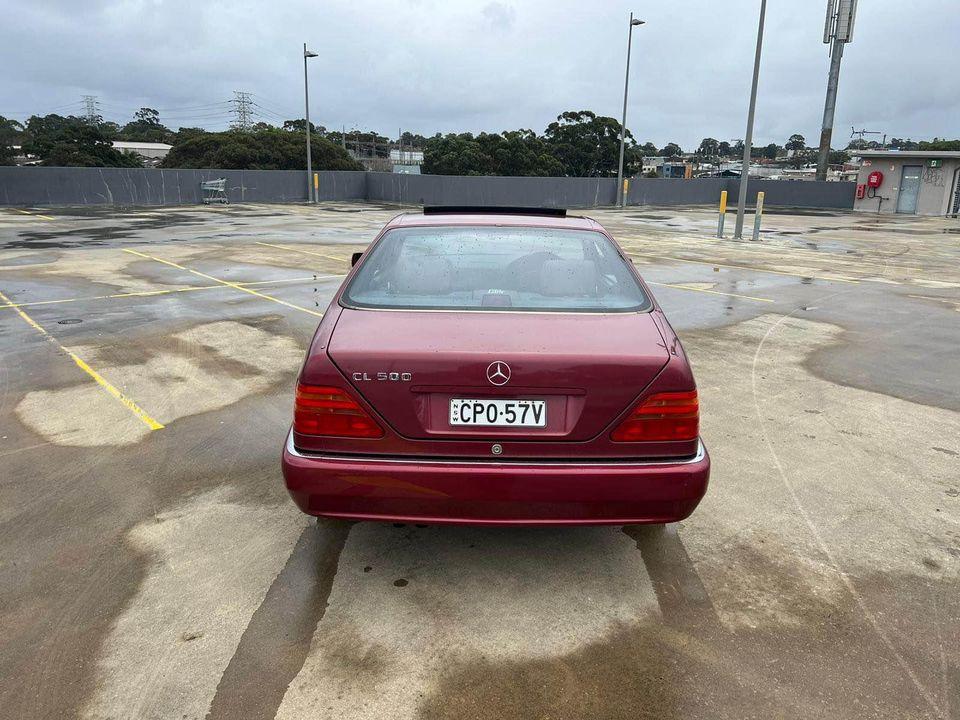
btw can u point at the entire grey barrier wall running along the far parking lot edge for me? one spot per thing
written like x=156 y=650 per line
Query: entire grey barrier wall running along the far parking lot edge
x=139 y=186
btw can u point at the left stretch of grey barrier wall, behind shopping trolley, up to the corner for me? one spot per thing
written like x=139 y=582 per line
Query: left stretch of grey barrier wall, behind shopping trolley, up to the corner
x=142 y=186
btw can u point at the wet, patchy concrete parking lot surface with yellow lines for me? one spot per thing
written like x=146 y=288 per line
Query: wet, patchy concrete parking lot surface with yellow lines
x=152 y=565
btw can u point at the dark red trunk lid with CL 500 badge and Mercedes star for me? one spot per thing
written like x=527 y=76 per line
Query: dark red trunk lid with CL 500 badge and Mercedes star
x=587 y=368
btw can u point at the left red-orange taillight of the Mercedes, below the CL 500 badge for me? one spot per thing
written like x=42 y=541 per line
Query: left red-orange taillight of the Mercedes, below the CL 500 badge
x=320 y=410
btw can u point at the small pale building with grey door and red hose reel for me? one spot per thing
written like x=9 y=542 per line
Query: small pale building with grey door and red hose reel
x=909 y=182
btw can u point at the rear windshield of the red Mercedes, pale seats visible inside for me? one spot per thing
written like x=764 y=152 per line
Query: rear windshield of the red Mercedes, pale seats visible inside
x=495 y=268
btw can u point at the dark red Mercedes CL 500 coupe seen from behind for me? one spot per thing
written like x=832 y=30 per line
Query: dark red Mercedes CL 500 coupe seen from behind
x=495 y=366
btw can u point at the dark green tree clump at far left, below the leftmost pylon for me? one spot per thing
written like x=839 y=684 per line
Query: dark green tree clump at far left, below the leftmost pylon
x=72 y=141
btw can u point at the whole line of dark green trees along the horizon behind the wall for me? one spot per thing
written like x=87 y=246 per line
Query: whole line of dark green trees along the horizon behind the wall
x=579 y=143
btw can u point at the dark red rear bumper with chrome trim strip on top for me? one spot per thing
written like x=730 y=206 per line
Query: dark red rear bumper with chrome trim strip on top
x=495 y=493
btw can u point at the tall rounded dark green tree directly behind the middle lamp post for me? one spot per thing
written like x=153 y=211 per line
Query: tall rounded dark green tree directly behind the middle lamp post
x=588 y=145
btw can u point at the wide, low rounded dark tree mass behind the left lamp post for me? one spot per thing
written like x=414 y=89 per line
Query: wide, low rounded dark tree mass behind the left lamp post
x=269 y=149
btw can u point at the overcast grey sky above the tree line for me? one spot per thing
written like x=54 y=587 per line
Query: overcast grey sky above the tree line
x=434 y=65
